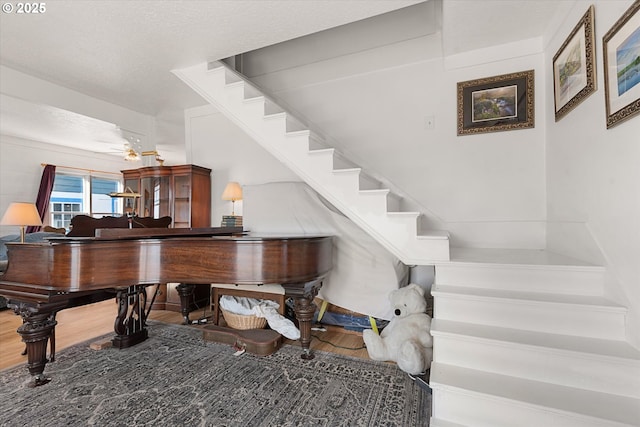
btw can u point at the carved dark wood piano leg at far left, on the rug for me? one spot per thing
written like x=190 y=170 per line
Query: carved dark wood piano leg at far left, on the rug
x=38 y=323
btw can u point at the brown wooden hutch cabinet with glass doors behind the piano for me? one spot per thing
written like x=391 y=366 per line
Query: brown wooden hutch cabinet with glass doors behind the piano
x=182 y=192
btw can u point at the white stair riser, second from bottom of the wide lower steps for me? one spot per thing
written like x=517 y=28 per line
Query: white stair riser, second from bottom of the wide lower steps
x=602 y=374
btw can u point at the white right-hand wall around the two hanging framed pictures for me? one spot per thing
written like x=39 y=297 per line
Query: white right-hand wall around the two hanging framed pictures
x=593 y=175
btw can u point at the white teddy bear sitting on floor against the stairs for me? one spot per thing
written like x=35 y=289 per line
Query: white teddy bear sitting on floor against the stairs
x=407 y=339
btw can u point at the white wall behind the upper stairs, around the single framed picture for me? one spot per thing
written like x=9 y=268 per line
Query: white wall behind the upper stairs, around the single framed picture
x=487 y=190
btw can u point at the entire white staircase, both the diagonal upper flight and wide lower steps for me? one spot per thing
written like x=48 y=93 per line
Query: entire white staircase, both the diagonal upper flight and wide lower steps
x=521 y=338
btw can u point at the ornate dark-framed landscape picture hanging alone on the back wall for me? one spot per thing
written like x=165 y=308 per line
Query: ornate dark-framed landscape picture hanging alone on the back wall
x=495 y=104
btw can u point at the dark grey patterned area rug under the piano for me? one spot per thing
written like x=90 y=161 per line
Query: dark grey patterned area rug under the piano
x=176 y=378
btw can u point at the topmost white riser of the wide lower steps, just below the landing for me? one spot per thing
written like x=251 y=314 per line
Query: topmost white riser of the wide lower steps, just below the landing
x=577 y=281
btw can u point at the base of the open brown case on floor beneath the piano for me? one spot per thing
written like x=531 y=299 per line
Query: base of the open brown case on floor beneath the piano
x=261 y=342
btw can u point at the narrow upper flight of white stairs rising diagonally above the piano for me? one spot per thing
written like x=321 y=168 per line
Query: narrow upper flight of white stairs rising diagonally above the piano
x=376 y=210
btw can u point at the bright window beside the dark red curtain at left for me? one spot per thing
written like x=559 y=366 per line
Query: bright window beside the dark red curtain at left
x=75 y=194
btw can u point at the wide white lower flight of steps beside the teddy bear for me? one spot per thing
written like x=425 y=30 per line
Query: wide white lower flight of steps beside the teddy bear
x=525 y=338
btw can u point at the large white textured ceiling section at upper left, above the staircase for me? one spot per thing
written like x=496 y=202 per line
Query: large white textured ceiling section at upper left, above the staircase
x=123 y=51
